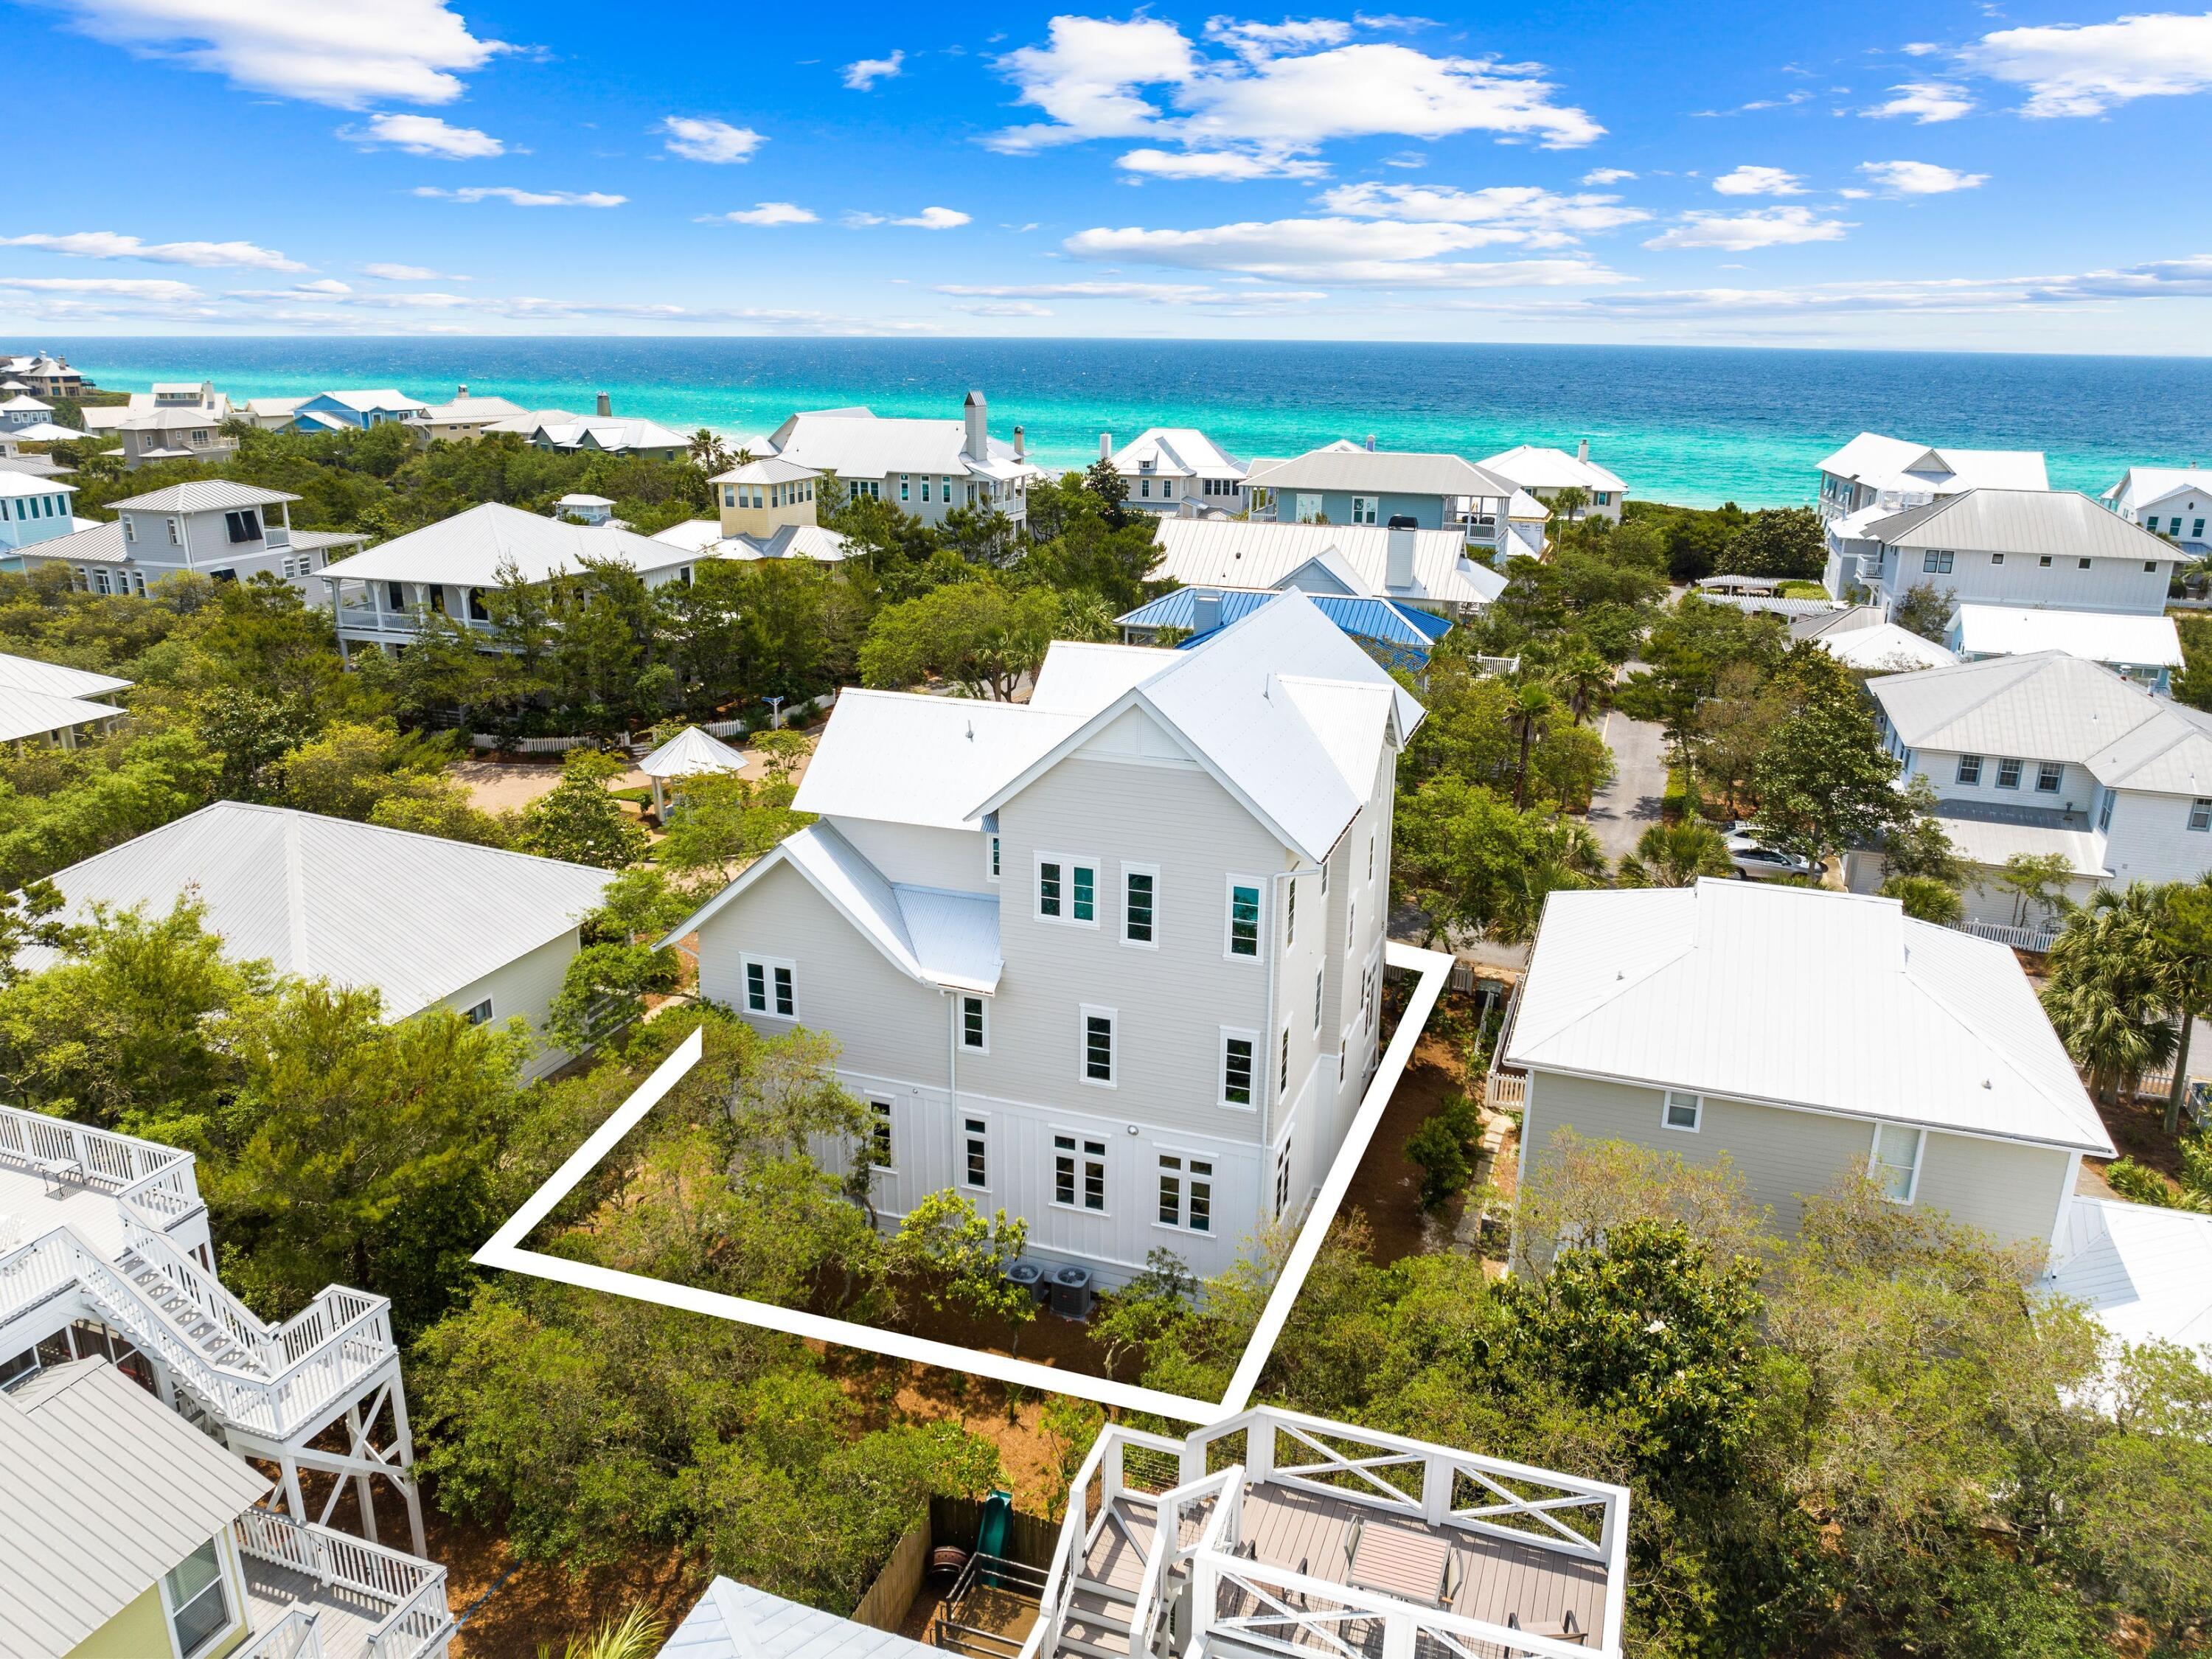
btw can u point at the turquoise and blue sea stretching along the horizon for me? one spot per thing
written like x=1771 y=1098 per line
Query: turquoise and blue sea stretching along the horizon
x=1693 y=426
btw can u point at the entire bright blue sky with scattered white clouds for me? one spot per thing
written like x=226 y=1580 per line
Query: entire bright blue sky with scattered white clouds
x=1959 y=176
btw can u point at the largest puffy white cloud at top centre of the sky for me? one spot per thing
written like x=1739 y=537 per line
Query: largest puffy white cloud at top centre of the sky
x=1286 y=92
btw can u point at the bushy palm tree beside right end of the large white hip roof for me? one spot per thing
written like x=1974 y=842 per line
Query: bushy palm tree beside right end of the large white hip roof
x=2111 y=990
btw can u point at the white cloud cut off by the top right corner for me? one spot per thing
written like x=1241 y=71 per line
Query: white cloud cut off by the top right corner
x=2087 y=70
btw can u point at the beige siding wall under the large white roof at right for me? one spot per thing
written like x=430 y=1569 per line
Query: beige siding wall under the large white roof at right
x=2005 y=1189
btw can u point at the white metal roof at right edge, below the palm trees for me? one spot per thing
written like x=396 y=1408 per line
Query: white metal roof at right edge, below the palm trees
x=2142 y=1271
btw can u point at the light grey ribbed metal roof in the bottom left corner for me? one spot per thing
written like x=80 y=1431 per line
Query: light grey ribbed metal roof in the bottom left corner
x=109 y=1492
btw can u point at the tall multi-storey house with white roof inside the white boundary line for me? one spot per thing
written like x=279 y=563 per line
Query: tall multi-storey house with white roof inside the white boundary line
x=1109 y=959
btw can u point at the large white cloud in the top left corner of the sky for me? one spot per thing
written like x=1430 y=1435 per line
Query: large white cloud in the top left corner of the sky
x=331 y=52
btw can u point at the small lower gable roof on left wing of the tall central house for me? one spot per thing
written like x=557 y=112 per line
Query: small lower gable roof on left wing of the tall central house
x=930 y=935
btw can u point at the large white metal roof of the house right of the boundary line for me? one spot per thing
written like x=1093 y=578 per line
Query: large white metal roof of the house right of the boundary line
x=1707 y=990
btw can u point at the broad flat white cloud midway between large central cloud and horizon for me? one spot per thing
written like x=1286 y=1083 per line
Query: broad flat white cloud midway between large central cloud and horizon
x=1335 y=251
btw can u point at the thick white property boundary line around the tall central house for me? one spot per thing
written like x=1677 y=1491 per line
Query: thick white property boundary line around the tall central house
x=505 y=1246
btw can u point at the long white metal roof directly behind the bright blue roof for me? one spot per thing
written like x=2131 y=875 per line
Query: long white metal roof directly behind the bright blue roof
x=1244 y=554
